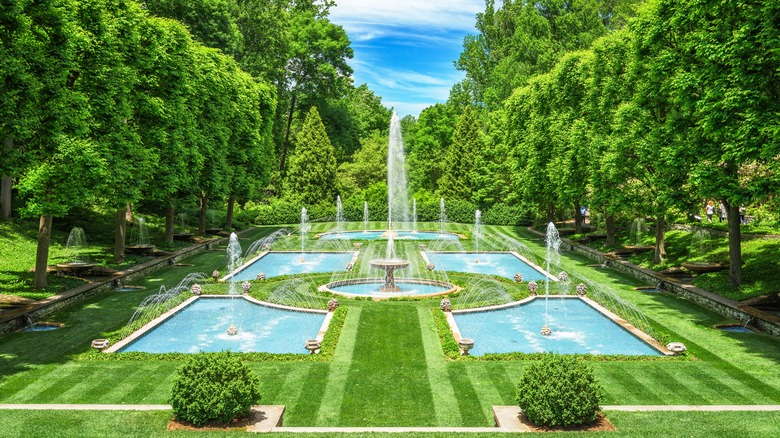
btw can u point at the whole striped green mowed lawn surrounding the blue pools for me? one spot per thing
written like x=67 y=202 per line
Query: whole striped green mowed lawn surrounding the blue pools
x=389 y=368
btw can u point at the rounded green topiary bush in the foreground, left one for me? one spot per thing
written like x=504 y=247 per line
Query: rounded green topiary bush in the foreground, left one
x=214 y=387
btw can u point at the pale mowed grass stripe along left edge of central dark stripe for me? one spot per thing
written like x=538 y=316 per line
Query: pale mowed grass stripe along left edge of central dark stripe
x=338 y=373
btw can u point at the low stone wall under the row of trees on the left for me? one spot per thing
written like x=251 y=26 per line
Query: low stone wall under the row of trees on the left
x=17 y=319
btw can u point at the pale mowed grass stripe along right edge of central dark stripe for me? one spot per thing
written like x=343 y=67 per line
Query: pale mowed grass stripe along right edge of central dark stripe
x=444 y=402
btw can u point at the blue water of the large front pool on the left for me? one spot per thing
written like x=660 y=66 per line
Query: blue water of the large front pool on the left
x=202 y=326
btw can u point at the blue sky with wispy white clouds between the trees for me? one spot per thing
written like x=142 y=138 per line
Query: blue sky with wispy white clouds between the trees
x=404 y=49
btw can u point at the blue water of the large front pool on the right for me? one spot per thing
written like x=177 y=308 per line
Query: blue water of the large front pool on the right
x=576 y=328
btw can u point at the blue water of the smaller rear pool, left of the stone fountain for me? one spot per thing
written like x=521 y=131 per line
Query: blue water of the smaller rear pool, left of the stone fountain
x=275 y=264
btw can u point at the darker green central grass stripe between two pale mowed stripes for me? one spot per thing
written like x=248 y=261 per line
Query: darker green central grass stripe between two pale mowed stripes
x=388 y=385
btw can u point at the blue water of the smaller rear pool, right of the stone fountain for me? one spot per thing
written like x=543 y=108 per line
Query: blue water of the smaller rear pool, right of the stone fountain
x=502 y=264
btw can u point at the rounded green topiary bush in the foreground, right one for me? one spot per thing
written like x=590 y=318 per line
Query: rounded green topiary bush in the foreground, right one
x=559 y=391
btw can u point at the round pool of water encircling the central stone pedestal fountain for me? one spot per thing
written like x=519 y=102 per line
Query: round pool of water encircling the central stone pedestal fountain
x=371 y=287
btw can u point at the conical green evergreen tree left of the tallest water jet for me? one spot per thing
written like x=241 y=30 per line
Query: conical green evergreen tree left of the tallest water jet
x=312 y=176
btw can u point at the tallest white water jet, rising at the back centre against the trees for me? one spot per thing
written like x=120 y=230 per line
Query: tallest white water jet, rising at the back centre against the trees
x=397 y=193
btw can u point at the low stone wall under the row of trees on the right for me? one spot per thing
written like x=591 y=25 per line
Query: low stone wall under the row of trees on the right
x=765 y=321
